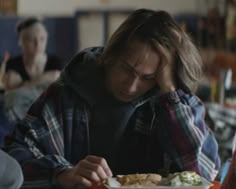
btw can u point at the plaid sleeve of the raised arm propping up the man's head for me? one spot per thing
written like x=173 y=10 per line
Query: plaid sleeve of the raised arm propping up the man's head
x=190 y=143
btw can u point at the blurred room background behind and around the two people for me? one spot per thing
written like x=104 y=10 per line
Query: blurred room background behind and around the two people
x=75 y=24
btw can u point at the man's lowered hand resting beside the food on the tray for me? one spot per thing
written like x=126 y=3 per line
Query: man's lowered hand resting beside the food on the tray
x=87 y=172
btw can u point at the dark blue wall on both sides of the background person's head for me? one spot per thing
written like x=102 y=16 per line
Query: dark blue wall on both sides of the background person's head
x=61 y=41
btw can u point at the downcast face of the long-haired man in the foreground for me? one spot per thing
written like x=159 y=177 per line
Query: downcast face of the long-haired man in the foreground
x=133 y=73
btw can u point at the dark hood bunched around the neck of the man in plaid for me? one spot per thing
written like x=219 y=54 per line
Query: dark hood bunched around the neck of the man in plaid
x=87 y=77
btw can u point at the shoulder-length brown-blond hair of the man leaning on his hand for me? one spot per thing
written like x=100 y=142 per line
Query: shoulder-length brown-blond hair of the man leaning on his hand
x=158 y=28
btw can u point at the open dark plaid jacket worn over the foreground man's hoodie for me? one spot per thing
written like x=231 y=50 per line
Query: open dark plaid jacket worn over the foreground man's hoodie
x=54 y=134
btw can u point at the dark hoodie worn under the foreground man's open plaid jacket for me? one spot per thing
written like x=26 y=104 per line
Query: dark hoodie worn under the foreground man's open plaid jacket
x=110 y=119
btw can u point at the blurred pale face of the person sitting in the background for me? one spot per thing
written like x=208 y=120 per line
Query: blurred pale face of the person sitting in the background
x=34 y=40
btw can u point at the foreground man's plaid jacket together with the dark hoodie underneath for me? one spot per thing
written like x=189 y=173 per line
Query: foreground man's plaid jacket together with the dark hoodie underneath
x=77 y=116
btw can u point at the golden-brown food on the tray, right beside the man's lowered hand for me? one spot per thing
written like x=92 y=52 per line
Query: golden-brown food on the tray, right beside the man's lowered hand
x=149 y=179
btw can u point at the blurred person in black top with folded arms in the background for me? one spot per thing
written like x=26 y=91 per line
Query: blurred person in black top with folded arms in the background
x=27 y=75
